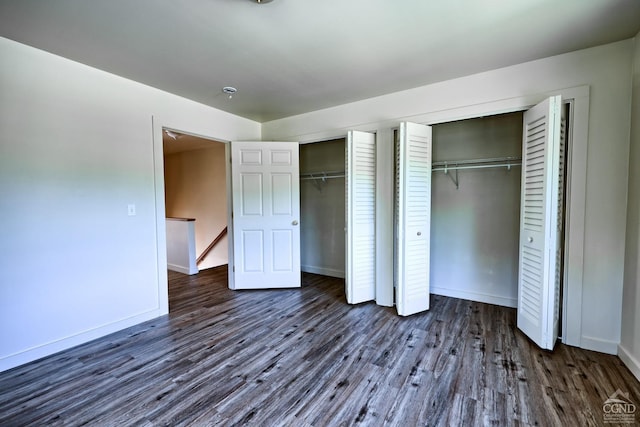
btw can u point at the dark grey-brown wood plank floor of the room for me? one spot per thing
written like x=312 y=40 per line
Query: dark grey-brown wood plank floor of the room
x=305 y=358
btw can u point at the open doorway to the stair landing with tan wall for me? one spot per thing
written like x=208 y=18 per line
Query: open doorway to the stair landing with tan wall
x=195 y=202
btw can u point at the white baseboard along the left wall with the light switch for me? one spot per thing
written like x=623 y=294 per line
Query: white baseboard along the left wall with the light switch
x=38 y=352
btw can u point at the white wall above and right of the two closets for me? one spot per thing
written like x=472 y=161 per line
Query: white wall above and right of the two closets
x=607 y=72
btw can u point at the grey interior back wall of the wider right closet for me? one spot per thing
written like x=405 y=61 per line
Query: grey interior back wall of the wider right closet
x=475 y=227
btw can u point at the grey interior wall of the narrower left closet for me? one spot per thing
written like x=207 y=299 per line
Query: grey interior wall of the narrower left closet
x=322 y=208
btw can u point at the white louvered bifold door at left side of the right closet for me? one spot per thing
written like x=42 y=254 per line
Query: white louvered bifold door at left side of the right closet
x=413 y=218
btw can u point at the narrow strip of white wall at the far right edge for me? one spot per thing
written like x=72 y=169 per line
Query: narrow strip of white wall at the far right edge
x=629 y=349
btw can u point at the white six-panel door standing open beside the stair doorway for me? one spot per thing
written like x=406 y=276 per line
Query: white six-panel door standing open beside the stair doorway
x=265 y=214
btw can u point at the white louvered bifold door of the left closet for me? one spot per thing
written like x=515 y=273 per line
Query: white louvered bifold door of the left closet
x=360 y=173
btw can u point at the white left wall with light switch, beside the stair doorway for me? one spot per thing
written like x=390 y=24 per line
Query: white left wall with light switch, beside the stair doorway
x=77 y=148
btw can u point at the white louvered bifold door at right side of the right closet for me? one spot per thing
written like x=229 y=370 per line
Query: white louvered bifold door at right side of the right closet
x=541 y=222
